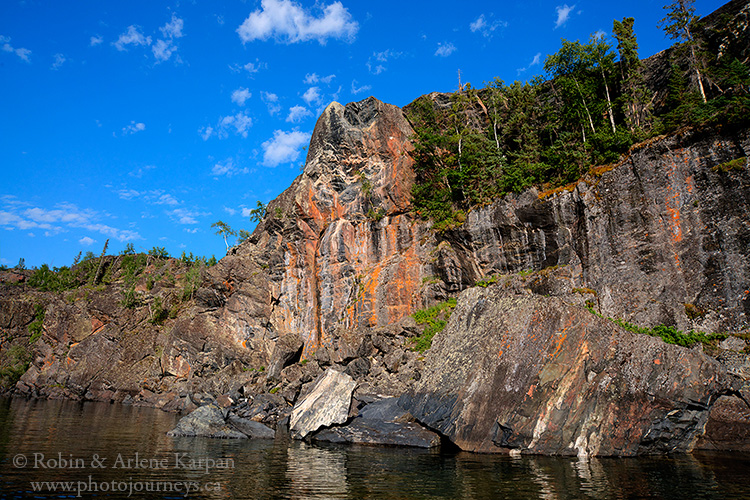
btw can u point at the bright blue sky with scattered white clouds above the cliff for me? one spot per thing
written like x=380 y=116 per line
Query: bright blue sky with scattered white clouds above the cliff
x=145 y=122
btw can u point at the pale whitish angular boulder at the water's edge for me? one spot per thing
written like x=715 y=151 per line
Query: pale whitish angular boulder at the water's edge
x=326 y=404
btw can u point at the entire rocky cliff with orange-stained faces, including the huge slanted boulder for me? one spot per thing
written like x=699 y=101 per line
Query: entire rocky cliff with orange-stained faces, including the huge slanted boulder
x=332 y=274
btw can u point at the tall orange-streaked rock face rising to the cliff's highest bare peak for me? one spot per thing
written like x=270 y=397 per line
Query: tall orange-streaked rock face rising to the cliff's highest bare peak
x=339 y=248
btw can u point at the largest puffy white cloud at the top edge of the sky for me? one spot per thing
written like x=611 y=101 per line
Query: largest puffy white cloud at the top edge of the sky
x=287 y=21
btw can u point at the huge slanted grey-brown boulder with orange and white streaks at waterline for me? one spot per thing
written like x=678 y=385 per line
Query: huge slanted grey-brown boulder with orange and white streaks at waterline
x=534 y=374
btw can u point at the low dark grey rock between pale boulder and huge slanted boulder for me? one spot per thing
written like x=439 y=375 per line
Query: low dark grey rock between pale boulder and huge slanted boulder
x=381 y=423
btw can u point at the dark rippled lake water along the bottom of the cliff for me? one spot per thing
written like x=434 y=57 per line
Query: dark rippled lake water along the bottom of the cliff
x=63 y=449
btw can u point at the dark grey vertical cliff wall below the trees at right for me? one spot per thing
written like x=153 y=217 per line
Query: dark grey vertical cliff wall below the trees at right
x=661 y=237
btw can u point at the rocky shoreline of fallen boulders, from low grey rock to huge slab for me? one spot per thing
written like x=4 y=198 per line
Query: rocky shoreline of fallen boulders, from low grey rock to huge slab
x=520 y=373
